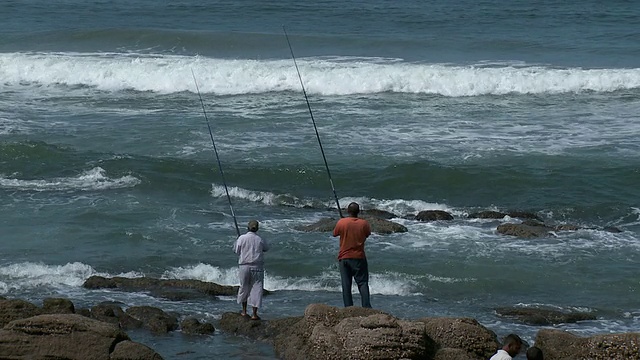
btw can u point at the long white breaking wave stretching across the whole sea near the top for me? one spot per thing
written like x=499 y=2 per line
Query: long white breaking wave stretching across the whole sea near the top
x=329 y=76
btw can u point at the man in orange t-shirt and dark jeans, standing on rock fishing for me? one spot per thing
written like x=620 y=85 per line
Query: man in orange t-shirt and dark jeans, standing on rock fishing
x=352 y=260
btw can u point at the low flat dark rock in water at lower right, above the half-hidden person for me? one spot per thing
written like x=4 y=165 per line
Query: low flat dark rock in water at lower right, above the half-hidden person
x=537 y=316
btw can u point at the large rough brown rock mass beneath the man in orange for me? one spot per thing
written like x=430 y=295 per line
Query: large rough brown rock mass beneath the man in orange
x=326 y=333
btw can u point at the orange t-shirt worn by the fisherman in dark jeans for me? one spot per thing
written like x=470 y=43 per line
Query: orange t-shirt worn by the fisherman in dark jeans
x=353 y=233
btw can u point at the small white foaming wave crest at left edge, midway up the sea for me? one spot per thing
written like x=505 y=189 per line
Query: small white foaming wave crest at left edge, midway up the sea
x=94 y=179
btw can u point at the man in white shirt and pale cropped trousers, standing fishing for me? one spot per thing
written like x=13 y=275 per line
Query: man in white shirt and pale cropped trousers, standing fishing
x=250 y=249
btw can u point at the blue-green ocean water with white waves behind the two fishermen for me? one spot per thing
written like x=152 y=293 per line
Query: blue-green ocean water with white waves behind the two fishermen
x=107 y=166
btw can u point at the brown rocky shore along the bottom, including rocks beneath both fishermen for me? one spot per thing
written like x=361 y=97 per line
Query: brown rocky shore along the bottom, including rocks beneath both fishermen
x=58 y=330
